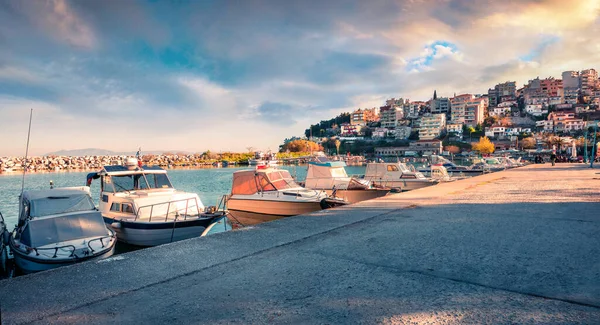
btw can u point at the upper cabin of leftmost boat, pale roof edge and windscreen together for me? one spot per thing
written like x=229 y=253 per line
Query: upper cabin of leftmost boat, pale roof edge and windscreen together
x=40 y=203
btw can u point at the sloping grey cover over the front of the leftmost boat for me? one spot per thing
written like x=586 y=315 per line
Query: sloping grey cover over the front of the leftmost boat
x=41 y=232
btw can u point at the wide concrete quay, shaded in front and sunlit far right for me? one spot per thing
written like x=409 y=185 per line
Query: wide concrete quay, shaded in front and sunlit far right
x=519 y=246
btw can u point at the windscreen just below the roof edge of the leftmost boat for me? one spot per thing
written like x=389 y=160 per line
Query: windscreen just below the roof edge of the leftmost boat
x=60 y=204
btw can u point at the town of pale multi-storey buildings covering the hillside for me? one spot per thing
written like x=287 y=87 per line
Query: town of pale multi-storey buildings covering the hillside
x=507 y=114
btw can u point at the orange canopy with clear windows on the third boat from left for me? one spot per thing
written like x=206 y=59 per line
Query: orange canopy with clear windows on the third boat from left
x=248 y=182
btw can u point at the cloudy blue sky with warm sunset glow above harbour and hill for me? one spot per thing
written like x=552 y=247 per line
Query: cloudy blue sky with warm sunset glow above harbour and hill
x=228 y=75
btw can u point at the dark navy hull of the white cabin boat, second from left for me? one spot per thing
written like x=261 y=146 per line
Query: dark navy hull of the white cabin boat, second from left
x=157 y=233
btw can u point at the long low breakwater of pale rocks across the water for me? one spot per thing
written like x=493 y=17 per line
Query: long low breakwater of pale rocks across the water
x=66 y=163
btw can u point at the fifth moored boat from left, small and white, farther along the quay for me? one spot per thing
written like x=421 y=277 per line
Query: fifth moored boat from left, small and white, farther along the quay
x=397 y=176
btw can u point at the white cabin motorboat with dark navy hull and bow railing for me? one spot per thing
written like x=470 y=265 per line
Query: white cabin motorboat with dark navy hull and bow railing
x=144 y=209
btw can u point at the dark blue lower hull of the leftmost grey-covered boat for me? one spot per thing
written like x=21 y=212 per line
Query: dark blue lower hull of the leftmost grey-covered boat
x=30 y=264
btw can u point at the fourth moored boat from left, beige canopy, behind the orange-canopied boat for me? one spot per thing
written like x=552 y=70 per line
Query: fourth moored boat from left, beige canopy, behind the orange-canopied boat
x=331 y=177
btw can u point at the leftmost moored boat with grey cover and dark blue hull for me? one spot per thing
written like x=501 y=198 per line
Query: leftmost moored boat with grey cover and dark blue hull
x=59 y=227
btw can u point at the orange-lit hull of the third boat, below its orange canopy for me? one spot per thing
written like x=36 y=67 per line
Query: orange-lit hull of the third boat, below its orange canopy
x=251 y=212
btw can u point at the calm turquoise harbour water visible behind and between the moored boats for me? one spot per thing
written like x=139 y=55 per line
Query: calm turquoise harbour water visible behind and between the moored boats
x=209 y=184
